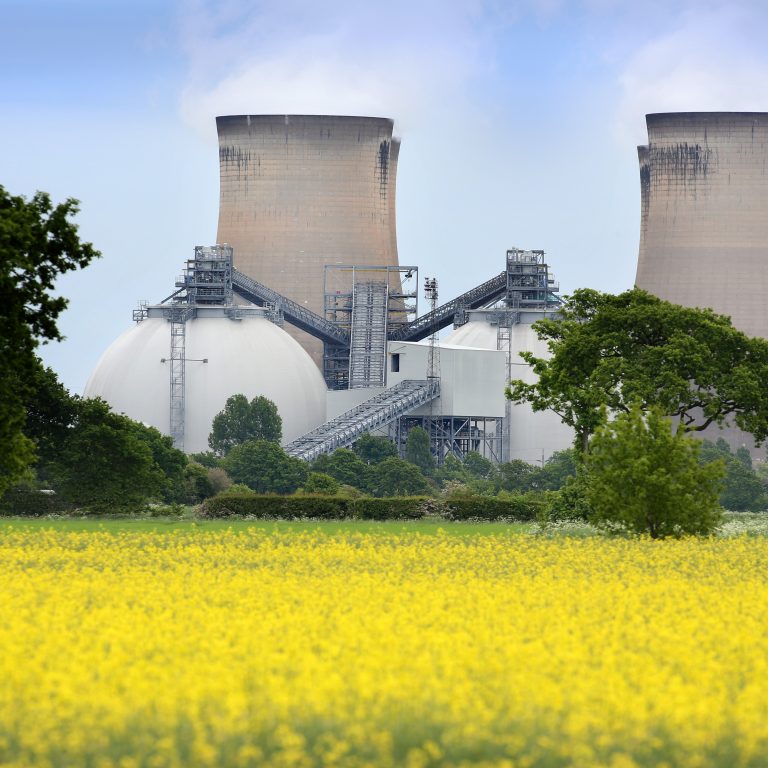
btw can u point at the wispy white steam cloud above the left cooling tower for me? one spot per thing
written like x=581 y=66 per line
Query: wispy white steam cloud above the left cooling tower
x=397 y=59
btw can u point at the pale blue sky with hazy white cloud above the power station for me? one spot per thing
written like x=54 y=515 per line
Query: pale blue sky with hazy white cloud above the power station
x=519 y=122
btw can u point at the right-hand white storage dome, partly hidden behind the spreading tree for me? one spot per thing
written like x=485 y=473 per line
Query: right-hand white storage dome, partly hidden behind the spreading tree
x=532 y=435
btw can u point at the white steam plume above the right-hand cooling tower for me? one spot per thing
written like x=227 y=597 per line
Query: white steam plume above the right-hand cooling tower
x=711 y=59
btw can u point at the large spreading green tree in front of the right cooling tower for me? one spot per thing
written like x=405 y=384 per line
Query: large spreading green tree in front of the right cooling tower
x=615 y=350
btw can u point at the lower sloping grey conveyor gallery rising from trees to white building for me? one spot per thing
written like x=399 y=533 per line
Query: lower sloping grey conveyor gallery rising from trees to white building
x=382 y=409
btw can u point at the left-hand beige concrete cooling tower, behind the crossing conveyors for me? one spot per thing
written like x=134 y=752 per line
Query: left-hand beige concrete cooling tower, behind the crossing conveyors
x=302 y=191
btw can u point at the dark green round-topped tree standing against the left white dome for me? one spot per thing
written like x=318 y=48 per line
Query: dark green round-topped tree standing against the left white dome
x=241 y=421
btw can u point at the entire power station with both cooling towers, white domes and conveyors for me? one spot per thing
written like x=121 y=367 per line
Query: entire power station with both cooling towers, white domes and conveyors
x=303 y=299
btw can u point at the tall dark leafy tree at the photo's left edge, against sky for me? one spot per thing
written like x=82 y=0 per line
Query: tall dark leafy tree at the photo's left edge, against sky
x=38 y=242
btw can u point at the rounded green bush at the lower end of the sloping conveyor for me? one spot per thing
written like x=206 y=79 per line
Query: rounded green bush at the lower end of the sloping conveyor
x=265 y=467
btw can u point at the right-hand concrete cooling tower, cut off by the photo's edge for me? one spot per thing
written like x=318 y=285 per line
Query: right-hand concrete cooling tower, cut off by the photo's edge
x=704 y=213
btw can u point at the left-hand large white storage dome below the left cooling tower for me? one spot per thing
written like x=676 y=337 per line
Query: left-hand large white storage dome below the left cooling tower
x=251 y=356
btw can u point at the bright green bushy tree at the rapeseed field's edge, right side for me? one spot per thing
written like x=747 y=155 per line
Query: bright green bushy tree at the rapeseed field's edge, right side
x=644 y=478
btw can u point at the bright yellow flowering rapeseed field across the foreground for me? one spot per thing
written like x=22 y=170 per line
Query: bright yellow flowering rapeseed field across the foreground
x=304 y=649
